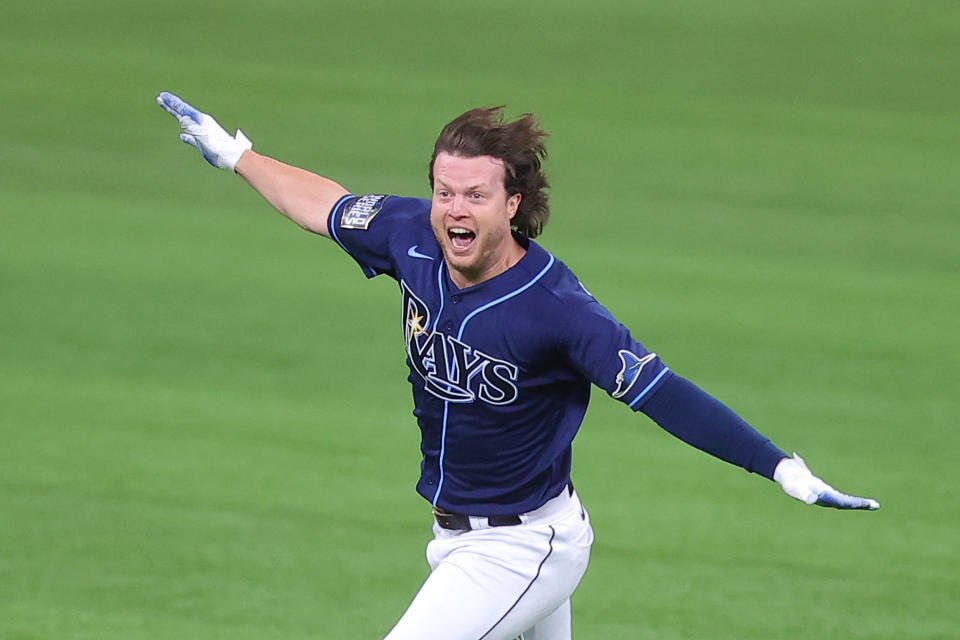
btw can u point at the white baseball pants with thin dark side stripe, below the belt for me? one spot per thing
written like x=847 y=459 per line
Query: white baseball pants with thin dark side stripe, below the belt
x=501 y=583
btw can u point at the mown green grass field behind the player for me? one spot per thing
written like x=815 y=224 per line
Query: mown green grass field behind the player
x=205 y=429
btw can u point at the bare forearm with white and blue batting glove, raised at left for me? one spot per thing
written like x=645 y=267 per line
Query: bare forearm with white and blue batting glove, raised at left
x=304 y=197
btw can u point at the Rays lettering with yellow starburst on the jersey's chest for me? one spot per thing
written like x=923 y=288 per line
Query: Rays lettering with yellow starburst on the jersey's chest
x=453 y=370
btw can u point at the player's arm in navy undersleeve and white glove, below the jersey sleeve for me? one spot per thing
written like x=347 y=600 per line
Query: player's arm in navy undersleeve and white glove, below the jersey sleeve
x=699 y=419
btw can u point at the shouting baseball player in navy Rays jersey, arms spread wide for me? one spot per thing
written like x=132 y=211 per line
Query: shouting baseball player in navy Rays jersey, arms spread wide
x=503 y=343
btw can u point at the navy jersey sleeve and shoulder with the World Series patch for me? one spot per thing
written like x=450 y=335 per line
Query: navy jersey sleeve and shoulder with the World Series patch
x=369 y=227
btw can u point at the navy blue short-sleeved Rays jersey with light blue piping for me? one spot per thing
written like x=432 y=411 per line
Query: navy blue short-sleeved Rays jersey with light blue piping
x=501 y=371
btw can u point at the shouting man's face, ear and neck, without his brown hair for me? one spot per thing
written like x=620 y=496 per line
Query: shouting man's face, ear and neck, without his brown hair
x=470 y=215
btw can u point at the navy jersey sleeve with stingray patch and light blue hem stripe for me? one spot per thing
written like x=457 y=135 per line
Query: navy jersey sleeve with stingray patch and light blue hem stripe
x=603 y=350
